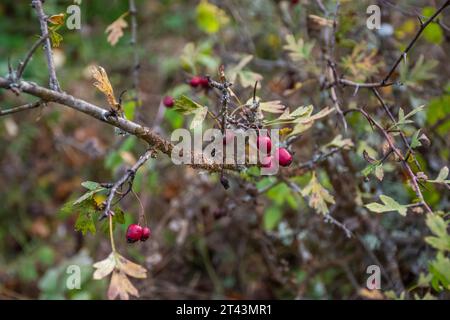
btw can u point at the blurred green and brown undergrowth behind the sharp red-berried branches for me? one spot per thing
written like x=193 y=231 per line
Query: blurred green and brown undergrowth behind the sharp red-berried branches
x=260 y=239
